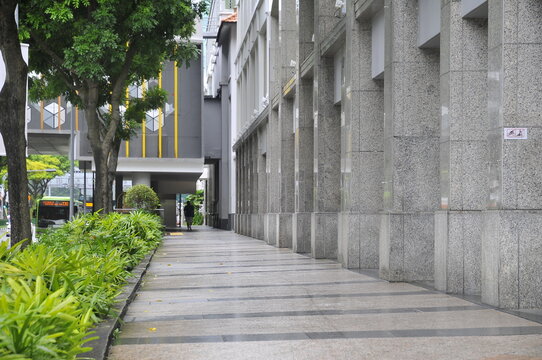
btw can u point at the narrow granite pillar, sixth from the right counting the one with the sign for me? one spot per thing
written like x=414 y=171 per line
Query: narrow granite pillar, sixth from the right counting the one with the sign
x=304 y=134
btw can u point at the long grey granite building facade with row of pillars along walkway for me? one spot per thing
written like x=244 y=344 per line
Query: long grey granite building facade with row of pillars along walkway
x=398 y=135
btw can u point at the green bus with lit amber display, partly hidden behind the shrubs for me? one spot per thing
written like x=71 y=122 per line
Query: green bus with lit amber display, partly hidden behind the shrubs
x=53 y=211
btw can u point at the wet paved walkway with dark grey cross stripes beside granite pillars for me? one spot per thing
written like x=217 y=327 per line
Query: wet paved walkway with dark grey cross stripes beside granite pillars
x=213 y=294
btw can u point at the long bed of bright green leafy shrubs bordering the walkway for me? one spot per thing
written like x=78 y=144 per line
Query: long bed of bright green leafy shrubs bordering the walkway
x=53 y=292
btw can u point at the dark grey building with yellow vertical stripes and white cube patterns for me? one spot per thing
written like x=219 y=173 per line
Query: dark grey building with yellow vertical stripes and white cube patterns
x=167 y=151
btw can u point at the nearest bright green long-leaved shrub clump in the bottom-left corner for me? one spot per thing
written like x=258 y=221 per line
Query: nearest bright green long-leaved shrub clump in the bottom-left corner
x=38 y=323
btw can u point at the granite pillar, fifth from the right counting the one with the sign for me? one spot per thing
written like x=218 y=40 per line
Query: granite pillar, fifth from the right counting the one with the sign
x=327 y=142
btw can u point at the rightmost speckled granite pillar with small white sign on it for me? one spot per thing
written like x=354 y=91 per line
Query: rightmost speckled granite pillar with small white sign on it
x=511 y=241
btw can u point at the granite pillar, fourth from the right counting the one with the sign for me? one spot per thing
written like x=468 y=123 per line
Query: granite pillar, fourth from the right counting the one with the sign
x=362 y=155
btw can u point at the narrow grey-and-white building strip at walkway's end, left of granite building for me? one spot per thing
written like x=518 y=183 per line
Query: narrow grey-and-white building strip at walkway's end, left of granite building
x=220 y=104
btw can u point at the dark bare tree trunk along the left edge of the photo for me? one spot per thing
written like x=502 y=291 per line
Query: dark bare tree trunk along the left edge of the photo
x=12 y=122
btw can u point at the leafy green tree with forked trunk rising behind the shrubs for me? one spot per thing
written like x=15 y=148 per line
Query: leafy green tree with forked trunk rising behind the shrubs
x=90 y=51
